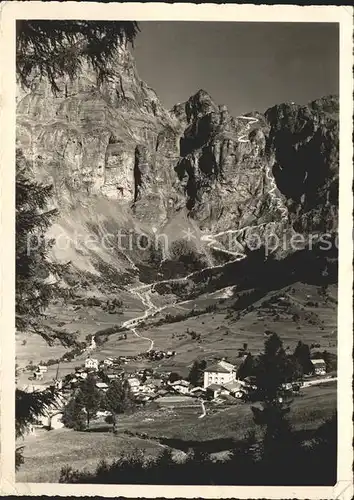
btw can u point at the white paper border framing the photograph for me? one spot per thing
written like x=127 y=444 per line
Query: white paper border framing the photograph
x=9 y=13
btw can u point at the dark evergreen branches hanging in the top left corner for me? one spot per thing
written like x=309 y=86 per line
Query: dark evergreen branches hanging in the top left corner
x=56 y=48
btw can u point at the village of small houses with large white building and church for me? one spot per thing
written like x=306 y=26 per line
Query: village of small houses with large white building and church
x=218 y=383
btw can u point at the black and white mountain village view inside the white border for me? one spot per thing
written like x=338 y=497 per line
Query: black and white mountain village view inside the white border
x=176 y=250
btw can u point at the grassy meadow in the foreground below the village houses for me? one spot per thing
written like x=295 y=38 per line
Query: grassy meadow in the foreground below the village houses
x=179 y=428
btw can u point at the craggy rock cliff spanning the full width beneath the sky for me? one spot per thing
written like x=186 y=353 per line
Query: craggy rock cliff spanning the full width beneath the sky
x=118 y=159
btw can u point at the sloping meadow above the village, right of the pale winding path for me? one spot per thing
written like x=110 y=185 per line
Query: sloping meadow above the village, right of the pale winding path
x=223 y=335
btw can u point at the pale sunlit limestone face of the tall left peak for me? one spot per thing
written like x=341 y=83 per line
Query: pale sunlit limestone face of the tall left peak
x=94 y=139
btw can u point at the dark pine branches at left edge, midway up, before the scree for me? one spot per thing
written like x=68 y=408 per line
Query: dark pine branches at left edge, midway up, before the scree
x=37 y=278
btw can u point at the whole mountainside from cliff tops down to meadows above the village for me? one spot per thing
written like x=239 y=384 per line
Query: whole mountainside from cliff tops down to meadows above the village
x=198 y=185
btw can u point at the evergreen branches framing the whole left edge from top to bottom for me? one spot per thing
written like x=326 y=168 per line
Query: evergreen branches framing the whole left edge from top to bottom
x=49 y=49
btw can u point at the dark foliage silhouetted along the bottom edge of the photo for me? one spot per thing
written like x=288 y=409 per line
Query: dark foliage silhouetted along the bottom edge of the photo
x=304 y=465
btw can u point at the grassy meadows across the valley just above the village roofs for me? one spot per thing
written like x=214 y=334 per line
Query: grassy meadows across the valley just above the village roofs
x=222 y=333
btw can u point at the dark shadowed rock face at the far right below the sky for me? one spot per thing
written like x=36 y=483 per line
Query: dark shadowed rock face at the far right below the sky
x=303 y=144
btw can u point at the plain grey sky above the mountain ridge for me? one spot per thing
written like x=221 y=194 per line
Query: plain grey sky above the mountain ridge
x=247 y=66
